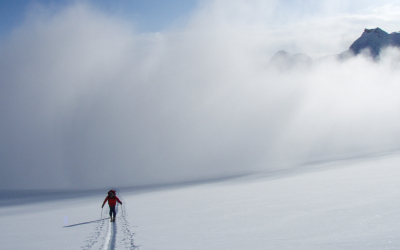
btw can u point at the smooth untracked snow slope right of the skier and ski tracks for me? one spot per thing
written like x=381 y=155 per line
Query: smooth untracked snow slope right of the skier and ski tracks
x=345 y=205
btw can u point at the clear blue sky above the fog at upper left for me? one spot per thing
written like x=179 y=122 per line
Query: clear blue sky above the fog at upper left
x=153 y=16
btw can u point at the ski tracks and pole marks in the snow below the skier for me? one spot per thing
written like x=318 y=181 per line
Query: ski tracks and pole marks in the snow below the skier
x=110 y=230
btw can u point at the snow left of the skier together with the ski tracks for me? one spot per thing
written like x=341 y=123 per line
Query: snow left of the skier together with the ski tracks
x=67 y=224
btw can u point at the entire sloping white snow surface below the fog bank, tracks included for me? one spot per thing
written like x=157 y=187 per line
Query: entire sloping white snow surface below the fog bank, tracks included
x=351 y=204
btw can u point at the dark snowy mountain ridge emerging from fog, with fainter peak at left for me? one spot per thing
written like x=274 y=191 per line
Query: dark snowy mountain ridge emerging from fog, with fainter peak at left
x=371 y=40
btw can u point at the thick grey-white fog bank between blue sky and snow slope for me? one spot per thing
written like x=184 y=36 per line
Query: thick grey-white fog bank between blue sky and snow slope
x=88 y=102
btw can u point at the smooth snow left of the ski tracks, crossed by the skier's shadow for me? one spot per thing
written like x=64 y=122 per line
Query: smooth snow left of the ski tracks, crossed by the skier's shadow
x=41 y=225
